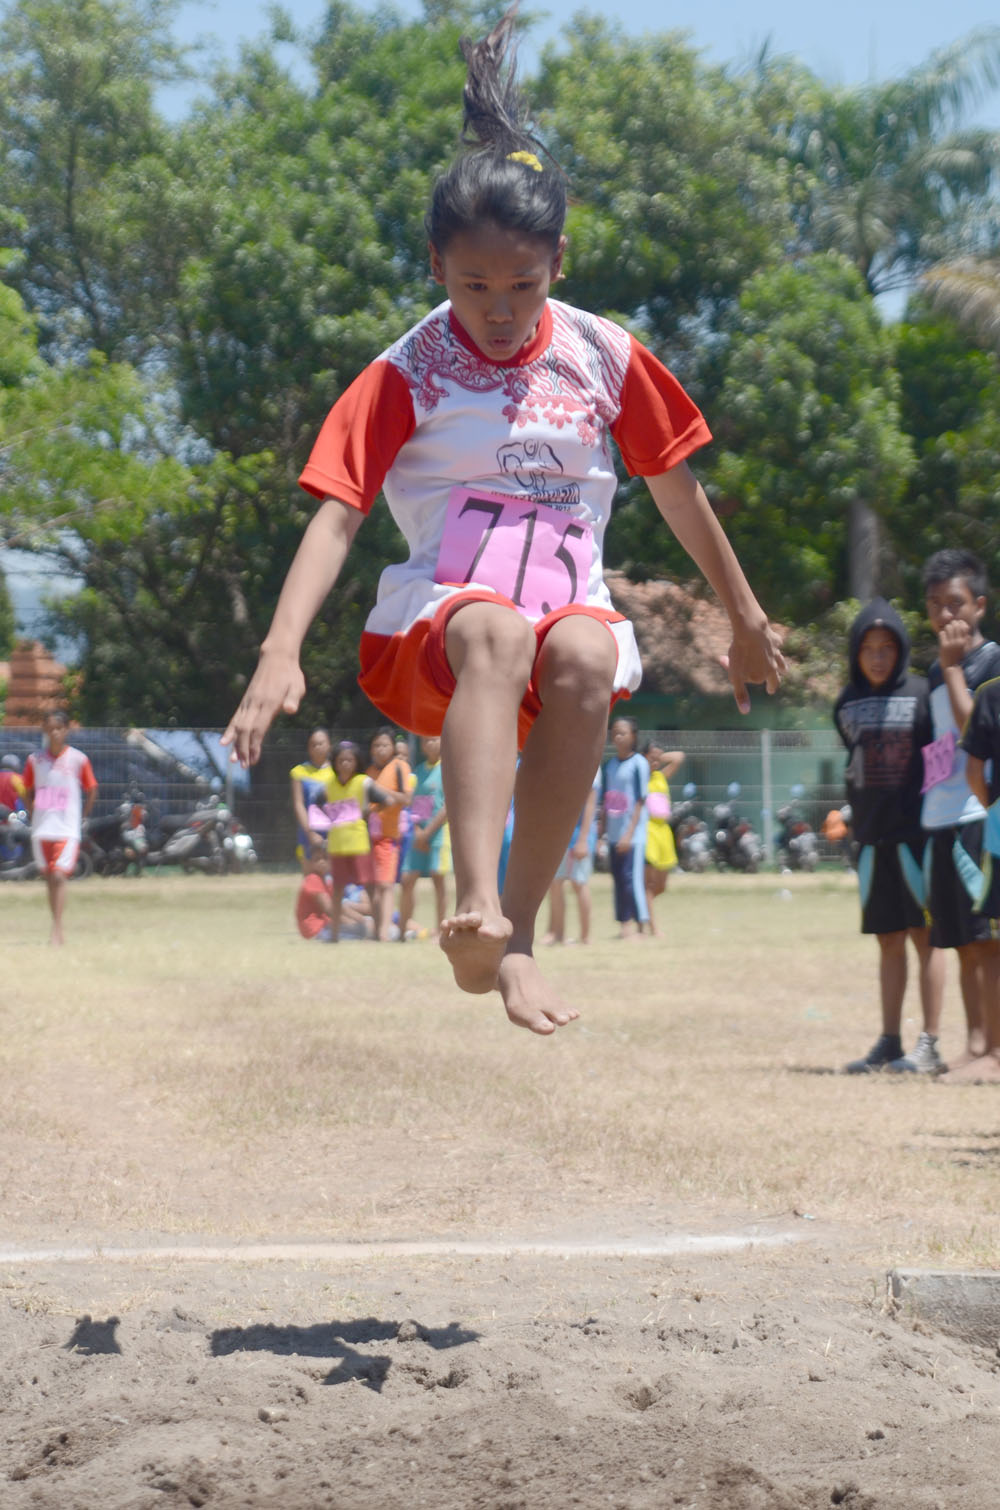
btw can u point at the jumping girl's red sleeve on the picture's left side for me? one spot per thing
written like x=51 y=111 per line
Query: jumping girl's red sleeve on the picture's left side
x=360 y=439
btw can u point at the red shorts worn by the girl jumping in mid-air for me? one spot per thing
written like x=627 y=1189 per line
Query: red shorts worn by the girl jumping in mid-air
x=409 y=677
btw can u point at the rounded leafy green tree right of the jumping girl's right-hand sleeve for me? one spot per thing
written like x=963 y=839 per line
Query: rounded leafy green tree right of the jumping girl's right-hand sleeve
x=810 y=427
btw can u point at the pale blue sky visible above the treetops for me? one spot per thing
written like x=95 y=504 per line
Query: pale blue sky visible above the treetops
x=848 y=43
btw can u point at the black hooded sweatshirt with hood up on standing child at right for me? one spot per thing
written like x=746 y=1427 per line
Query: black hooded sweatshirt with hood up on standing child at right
x=884 y=730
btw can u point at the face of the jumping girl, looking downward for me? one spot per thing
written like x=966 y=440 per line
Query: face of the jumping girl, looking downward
x=498 y=282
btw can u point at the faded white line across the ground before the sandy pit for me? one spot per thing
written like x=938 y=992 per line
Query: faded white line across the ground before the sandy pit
x=685 y=1243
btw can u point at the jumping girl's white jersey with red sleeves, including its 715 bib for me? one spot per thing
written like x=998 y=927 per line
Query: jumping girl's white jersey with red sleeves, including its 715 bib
x=443 y=431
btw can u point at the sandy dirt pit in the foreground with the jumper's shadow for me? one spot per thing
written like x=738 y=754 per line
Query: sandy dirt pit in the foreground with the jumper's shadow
x=747 y=1382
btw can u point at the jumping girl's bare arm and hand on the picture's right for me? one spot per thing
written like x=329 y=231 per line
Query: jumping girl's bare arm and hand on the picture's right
x=756 y=652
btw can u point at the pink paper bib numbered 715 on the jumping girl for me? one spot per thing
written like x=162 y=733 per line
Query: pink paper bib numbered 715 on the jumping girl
x=534 y=555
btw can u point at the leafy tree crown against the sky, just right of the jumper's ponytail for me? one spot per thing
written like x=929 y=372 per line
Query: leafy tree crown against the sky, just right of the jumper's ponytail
x=674 y=202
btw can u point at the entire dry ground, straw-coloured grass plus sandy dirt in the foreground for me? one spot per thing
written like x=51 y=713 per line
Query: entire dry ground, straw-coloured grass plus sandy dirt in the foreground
x=188 y=1071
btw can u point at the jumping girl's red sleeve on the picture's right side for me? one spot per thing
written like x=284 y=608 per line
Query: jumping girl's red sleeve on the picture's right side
x=658 y=427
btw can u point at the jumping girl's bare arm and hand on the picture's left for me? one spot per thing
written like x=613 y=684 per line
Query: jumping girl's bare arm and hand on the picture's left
x=279 y=683
